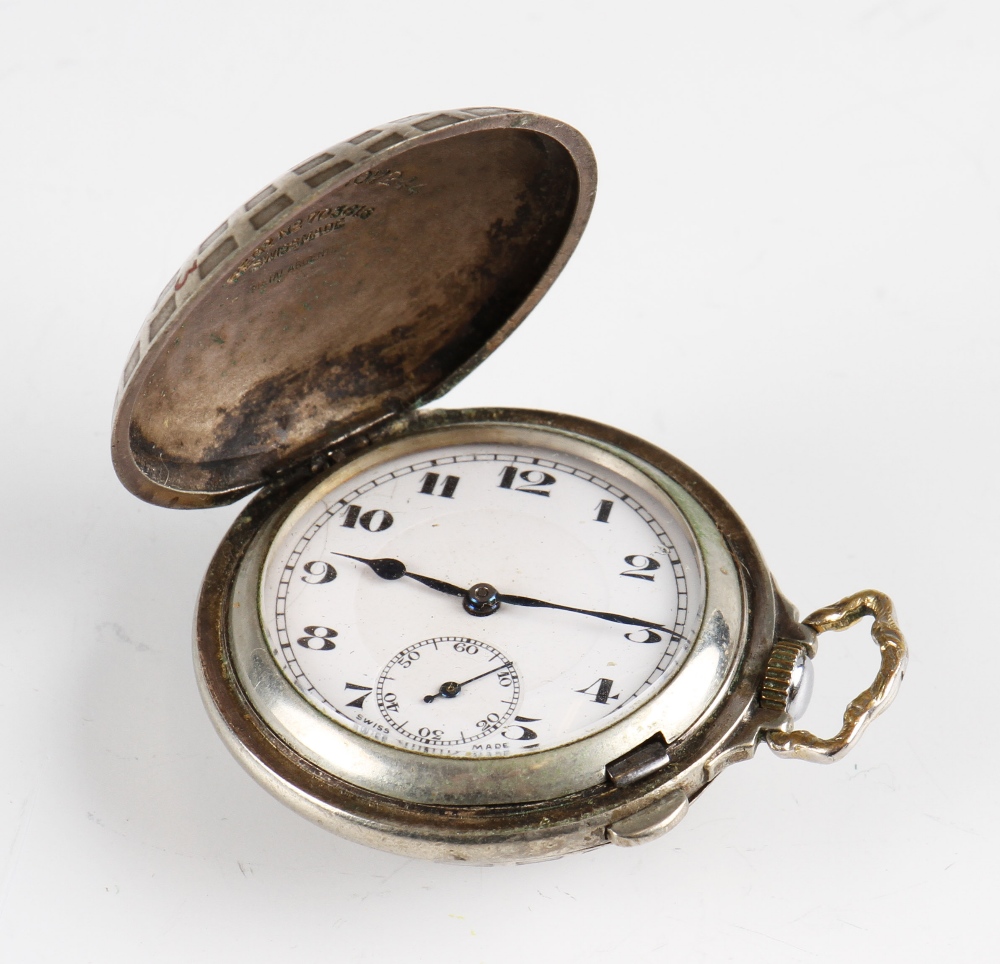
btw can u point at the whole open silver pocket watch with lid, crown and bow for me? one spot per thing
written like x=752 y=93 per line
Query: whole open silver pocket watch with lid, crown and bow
x=488 y=635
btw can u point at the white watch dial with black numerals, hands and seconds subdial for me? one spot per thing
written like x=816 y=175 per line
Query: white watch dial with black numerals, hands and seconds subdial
x=482 y=599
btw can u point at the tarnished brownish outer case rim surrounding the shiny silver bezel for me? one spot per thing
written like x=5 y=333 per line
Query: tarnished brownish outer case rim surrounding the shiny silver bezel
x=727 y=731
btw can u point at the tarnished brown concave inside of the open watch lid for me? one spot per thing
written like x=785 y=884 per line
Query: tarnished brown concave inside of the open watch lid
x=371 y=299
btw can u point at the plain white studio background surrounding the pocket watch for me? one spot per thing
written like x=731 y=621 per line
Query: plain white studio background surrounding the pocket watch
x=789 y=281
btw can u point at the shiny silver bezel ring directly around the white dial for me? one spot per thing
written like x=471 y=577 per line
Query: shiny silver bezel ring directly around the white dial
x=671 y=708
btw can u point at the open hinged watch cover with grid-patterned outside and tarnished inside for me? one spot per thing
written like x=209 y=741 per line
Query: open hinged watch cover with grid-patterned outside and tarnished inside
x=366 y=281
